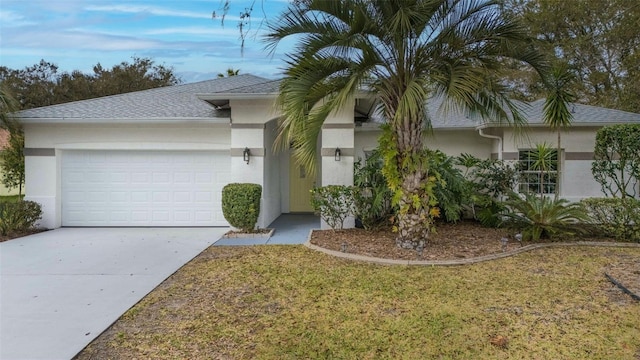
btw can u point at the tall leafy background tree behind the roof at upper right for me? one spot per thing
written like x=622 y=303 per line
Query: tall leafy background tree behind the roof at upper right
x=597 y=38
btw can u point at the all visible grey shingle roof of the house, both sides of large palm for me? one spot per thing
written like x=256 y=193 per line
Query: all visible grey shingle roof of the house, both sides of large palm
x=183 y=102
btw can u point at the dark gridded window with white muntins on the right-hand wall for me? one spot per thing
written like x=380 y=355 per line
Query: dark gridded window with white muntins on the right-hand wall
x=534 y=178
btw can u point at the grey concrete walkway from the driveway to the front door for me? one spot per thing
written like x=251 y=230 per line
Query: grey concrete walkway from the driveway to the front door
x=290 y=229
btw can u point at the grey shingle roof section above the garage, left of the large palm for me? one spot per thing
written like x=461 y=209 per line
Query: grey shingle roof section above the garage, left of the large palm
x=179 y=101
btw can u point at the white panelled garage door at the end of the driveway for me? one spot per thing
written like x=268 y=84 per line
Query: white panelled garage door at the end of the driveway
x=143 y=188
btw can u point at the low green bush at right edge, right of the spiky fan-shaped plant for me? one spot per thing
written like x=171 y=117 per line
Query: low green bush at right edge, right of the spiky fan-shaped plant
x=615 y=217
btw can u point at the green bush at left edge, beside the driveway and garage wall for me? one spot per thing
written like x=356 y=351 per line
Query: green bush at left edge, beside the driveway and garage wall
x=18 y=216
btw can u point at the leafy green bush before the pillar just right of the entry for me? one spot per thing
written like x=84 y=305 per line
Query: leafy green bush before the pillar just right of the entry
x=334 y=203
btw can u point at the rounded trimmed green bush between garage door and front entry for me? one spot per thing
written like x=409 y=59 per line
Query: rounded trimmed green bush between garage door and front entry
x=241 y=205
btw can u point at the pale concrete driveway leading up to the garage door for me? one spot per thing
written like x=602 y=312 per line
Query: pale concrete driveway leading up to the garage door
x=60 y=289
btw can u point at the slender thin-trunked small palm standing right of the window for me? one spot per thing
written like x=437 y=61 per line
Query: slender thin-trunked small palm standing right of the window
x=556 y=113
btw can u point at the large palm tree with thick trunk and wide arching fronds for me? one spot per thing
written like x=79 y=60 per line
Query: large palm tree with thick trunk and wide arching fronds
x=404 y=51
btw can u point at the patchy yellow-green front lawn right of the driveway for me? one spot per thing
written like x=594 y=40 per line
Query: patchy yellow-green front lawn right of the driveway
x=288 y=302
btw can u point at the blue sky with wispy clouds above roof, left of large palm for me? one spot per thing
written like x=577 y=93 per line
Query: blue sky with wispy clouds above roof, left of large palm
x=77 y=34
